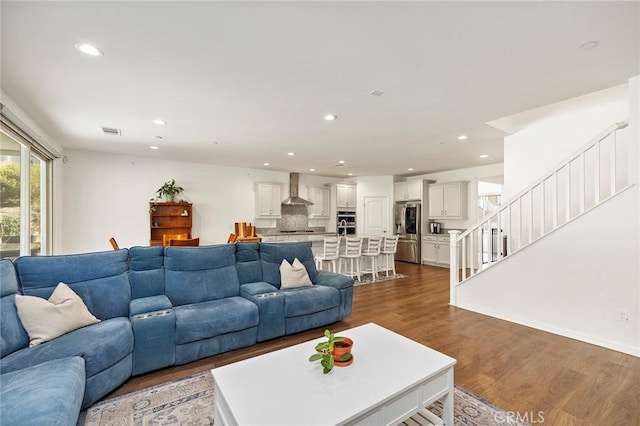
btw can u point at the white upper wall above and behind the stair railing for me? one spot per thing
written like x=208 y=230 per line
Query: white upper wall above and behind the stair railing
x=546 y=136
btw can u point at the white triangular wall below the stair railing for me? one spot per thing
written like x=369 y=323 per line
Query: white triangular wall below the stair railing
x=574 y=282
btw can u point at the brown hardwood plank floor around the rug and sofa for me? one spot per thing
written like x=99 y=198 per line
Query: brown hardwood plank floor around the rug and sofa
x=526 y=371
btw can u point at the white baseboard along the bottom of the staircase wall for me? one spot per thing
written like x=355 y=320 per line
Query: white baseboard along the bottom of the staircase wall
x=629 y=350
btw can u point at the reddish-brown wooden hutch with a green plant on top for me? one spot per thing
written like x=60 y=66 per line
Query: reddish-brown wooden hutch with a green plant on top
x=169 y=218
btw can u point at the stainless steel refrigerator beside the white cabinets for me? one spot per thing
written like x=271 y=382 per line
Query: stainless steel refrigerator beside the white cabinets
x=407 y=227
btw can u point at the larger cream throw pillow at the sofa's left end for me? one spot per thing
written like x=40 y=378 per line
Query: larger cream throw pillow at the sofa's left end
x=45 y=320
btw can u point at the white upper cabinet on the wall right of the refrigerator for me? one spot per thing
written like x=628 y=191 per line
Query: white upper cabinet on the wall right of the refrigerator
x=448 y=200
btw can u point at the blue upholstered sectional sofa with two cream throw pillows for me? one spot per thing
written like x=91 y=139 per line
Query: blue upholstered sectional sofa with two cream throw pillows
x=157 y=307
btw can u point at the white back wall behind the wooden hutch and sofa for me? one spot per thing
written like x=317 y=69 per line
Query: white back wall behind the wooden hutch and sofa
x=107 y=195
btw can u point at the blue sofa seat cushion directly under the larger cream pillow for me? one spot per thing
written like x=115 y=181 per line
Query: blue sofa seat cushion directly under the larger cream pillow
x=101 y=345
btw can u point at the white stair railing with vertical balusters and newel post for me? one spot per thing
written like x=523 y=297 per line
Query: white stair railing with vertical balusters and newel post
x=592 y=175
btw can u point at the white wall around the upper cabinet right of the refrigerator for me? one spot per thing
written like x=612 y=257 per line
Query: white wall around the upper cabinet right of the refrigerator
x=471 y=175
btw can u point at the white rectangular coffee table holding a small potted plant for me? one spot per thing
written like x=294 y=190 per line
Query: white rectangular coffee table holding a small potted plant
x=391 y=379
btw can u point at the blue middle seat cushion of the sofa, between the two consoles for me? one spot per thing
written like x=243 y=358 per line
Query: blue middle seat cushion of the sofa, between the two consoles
x=208 y=319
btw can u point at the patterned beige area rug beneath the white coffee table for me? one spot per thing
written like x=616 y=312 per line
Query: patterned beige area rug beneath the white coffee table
x=189 y=401
